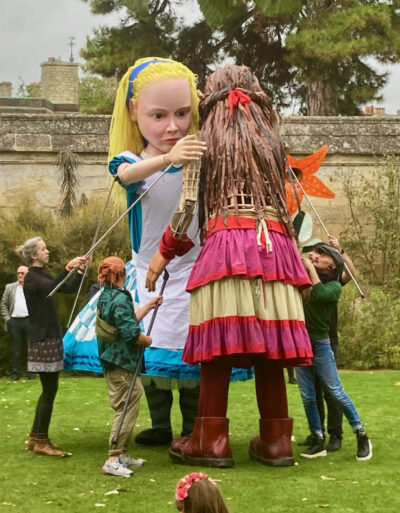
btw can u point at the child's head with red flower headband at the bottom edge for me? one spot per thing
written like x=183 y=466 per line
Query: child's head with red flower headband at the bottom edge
x=198 y=493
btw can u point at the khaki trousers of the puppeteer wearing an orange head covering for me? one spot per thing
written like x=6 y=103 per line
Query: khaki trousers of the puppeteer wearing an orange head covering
x=118 y=382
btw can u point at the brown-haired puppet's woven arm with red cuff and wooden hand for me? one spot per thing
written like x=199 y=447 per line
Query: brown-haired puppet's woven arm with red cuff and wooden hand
x=174 y=241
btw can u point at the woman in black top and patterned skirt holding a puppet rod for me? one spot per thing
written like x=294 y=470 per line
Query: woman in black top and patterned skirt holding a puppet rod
x=45 y=349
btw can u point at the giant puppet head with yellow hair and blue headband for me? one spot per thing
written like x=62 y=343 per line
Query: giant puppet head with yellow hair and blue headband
x=153 y=93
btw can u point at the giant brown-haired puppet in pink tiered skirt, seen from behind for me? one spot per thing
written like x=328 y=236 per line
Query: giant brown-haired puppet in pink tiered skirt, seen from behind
x=245 y=304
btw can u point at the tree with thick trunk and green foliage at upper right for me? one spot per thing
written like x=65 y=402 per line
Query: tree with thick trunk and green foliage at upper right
x=326 y=42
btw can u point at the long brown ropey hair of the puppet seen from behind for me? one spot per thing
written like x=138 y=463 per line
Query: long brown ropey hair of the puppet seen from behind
x=244 y=166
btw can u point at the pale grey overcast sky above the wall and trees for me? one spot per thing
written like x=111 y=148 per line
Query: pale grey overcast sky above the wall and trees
x=31 y=31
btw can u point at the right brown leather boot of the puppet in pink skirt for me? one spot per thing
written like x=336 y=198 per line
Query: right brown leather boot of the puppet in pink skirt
x=273 y=447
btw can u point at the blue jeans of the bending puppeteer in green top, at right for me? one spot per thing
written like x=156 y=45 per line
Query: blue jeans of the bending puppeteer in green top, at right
x=324 y=367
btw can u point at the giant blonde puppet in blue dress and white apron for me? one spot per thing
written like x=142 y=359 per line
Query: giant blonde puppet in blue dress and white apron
x=154 y=125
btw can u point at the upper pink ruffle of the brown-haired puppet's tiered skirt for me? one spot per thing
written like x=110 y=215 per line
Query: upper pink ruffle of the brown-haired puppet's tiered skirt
x=228 y=253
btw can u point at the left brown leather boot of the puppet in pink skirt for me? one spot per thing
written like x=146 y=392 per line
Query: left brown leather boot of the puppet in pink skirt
x=208 y=445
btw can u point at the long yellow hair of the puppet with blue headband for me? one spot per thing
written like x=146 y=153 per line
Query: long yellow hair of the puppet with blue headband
x=124 y=133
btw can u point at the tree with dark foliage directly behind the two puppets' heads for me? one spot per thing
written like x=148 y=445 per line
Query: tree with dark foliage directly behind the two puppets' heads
x=157 y=28
